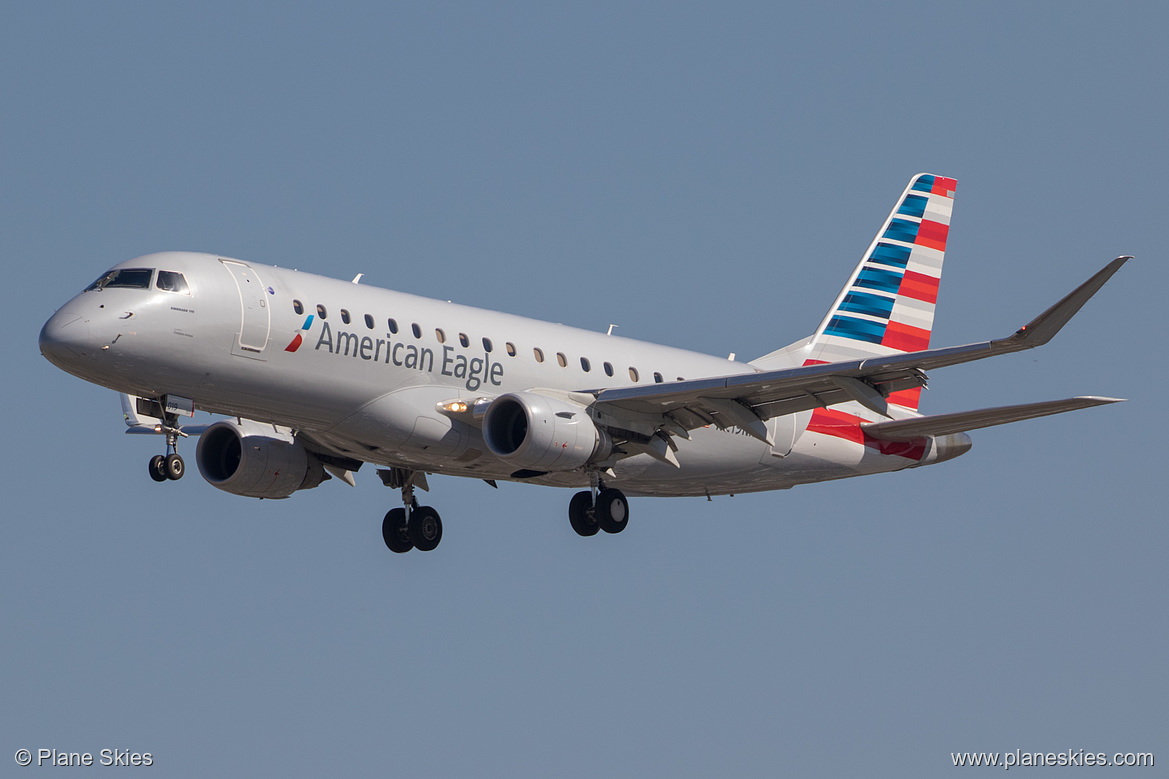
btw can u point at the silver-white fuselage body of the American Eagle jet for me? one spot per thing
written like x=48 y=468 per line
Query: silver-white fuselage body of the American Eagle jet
x=364 y=376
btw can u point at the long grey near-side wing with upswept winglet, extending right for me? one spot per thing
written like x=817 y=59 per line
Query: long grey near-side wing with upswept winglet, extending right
x=746 y=401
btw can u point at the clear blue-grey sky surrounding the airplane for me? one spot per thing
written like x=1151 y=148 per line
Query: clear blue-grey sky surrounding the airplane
x=705 y=176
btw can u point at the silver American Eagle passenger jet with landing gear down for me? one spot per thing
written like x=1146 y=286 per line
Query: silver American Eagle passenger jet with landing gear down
x=315 y=377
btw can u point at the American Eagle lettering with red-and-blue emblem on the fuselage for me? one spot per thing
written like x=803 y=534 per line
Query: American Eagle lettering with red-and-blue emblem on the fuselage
x=473 y=371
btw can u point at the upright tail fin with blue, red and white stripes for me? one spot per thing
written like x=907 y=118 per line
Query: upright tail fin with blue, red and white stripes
x=888 y=306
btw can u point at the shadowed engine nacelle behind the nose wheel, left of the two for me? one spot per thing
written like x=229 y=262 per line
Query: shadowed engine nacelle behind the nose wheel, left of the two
x=257 y=460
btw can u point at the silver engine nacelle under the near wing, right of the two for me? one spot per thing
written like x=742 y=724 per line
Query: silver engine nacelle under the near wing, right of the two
x=541 y=433
